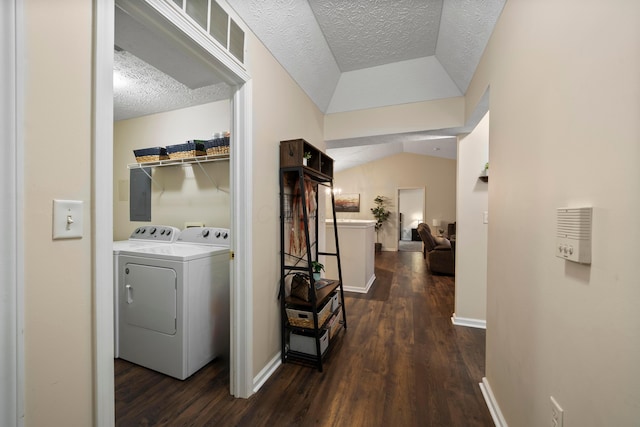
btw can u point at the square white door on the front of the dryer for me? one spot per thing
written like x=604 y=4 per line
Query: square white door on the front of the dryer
x=150 y=297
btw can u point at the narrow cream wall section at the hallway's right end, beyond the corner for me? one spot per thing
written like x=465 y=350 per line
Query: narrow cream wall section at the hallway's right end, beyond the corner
x=471 y=232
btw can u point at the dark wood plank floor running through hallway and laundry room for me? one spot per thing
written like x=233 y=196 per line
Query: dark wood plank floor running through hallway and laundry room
x=400 y=363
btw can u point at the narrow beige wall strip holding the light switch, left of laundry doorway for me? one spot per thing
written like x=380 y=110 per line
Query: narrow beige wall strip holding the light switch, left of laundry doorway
x=57 y=149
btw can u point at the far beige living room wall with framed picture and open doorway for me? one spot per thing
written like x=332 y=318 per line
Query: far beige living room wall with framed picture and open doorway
x=384 y=177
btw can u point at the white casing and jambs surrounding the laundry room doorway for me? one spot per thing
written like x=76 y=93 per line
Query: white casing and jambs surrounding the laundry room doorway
x=168 y=23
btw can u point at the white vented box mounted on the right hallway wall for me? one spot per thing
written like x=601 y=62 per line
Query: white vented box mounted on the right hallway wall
x=574 y=234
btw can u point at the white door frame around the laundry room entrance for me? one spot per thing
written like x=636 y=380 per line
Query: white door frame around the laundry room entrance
x=241 y=182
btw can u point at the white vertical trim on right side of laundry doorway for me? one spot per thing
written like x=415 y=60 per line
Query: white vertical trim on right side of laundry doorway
x=242 y=226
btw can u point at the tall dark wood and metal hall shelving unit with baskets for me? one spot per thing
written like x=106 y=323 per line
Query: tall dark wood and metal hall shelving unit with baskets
x=306 y=339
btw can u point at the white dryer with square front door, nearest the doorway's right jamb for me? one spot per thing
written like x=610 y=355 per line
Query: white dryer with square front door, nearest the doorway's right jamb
x=174 y=302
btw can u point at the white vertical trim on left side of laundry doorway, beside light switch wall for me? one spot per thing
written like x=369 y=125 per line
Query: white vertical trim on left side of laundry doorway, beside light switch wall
x=102 y=209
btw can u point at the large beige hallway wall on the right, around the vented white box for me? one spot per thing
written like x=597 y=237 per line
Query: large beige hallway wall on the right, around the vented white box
x=564 y=132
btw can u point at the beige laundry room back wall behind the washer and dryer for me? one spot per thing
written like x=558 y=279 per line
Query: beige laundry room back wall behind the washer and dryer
x=179 y=194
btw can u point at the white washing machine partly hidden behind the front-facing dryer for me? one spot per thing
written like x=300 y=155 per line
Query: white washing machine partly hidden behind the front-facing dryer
x=142 y=237
